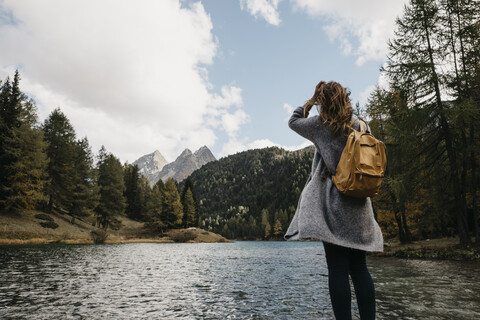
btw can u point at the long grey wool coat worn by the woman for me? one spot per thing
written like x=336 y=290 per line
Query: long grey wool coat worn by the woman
x=323 y=212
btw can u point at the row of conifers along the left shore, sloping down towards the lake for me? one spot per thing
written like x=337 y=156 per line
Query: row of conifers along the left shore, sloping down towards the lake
x=45 y=167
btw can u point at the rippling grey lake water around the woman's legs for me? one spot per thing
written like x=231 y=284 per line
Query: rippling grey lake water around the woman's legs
x=241 y=280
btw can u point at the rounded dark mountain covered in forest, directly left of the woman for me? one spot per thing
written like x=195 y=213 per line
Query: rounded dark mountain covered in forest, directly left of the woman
x=238 y=194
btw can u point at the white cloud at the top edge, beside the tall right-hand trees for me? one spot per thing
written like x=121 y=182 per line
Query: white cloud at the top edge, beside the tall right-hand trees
x=370 y=23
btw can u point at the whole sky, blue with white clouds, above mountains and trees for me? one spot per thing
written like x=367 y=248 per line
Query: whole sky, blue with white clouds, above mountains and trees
x=146 y=75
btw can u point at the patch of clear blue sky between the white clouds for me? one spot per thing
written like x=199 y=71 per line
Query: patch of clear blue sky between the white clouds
x=281 y=64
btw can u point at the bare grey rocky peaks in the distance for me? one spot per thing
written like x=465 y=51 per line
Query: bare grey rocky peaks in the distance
x=152 y=166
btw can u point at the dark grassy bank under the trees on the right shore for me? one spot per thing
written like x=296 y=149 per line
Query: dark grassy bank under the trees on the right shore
x=431 y=249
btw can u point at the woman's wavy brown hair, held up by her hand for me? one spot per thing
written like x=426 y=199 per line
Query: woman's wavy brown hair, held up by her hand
x=335 y=106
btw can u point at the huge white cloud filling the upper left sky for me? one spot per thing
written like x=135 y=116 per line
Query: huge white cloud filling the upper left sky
x=130 y=76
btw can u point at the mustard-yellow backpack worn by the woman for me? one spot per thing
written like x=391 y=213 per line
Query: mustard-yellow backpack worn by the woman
x=362 y=164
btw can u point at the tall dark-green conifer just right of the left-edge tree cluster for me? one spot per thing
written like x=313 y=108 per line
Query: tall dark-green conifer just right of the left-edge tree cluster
x=60 y=138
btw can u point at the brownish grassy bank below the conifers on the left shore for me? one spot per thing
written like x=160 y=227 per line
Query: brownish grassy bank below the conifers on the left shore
x=26 y=228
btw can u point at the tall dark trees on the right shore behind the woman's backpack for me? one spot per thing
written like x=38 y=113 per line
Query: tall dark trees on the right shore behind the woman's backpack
x=429 y=117
